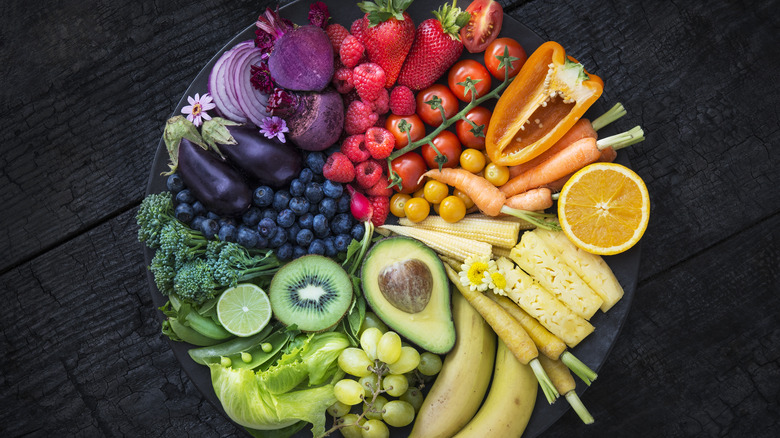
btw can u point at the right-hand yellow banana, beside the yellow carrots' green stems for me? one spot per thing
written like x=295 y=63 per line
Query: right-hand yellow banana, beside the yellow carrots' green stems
x=509 y=403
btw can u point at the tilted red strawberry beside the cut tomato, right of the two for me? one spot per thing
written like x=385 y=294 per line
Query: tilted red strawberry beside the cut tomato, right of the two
x=436 y=47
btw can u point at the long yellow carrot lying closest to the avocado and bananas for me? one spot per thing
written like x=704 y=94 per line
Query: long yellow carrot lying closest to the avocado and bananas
x=508 y=330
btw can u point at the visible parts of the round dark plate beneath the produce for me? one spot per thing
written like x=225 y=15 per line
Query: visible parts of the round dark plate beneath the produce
x=592 y=351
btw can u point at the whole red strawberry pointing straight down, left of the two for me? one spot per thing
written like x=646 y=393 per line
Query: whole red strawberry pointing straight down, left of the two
x=387 y=32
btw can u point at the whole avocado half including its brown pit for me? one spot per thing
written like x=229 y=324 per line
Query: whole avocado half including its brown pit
x=405 y=284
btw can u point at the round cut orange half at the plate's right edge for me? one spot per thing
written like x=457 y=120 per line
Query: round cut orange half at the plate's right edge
x=604 y=208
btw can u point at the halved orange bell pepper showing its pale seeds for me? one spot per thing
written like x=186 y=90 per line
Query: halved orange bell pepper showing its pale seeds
x=549 y=94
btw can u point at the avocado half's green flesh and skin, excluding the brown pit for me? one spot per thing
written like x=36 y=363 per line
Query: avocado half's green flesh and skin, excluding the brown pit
x=432 y=328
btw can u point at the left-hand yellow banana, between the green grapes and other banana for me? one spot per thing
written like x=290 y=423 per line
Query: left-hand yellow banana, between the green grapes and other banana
x=464 y=377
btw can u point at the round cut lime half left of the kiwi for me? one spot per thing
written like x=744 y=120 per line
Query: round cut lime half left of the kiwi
x=244 y=310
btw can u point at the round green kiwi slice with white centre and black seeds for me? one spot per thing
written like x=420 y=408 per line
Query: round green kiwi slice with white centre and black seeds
x=312 y=292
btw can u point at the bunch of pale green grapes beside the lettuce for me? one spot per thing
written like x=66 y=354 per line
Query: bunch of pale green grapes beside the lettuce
x=383 y=369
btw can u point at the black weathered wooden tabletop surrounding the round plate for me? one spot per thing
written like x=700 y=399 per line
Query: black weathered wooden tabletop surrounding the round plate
x=88 y=85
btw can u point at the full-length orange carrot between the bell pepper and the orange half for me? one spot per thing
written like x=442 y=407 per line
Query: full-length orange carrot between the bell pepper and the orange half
x=579 y=154
